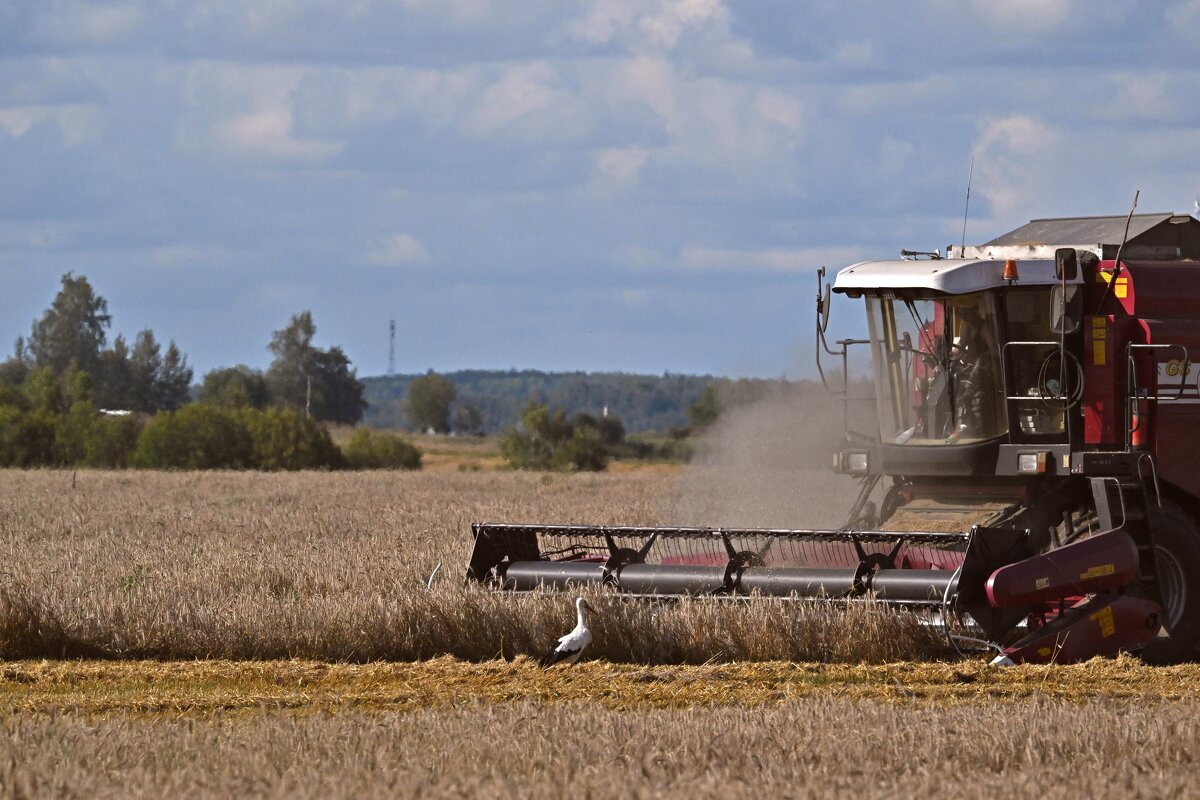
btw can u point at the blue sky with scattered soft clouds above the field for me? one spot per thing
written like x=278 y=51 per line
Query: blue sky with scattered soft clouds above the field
x=603 y=185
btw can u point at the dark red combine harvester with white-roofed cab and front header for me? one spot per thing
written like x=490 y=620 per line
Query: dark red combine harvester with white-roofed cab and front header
x=1036 y=458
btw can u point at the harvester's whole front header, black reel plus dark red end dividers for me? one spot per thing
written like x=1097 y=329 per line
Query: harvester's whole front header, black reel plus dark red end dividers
x=988 y=579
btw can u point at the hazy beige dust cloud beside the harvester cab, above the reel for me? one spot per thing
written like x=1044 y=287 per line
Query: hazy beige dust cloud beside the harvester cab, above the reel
x=770 y=465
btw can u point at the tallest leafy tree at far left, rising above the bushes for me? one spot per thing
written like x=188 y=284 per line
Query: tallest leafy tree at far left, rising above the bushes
x=73 y=329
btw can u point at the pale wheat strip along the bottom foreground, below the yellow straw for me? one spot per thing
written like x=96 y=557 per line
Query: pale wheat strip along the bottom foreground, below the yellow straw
x=817 y=749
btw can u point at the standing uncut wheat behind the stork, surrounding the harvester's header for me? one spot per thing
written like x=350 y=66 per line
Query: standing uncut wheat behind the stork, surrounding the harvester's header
x=334 y=567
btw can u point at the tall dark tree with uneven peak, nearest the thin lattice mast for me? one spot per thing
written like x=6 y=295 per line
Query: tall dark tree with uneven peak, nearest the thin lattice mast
x=304 y=377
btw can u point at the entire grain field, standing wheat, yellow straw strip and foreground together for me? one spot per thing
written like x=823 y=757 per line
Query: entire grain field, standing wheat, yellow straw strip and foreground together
x=273 y=635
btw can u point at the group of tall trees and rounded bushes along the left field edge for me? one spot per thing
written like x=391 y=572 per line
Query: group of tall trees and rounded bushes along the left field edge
x=71 y=398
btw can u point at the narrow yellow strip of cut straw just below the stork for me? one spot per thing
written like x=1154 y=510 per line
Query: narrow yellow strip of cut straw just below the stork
x=191 y=688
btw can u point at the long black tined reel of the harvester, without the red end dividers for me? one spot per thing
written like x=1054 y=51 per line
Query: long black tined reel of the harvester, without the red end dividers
x=721 y=562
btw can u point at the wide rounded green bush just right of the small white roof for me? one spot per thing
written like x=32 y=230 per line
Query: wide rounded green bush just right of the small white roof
x=195 y=437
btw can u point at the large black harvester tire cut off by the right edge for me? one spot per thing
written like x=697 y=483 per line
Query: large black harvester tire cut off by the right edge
x=1178 y=561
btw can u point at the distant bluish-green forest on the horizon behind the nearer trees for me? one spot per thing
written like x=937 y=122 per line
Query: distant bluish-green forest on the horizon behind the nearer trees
x=643 y=402
